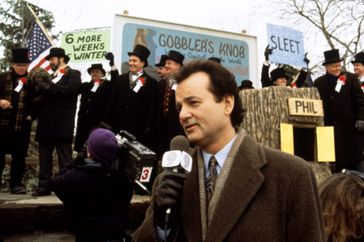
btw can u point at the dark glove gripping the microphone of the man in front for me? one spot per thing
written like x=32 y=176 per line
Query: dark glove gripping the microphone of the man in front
x=168 y=194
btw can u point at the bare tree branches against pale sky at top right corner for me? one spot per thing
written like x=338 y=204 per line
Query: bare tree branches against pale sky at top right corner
x=339 y=21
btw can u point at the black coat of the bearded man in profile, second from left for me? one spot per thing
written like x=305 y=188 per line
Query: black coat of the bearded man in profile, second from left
x=58 y=108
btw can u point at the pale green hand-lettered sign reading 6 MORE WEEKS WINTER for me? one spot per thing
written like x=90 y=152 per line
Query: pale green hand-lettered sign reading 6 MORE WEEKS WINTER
x=86 y=45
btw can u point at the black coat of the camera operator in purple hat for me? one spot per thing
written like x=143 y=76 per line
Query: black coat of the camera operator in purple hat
x=96 y=200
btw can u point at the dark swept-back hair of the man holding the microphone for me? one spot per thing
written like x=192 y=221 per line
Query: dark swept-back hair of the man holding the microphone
x=222 y=83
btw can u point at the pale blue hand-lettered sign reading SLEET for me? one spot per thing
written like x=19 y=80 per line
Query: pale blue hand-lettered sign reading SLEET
x=287 y=45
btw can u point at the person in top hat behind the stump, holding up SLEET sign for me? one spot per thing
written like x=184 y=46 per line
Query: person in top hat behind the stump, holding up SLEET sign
x=279 y=77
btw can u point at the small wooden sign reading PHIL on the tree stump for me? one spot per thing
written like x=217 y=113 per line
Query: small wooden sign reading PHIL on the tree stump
x=305 y=107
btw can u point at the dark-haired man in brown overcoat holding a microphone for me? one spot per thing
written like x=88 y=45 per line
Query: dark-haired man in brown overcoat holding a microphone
x=237 y=189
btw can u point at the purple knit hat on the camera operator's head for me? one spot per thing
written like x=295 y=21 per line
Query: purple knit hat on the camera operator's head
x=102 y=145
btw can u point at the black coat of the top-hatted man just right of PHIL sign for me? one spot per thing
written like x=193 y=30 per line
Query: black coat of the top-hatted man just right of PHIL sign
x=341 y=111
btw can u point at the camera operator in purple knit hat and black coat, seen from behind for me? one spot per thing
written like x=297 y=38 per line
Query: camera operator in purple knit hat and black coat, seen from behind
x=95 y=195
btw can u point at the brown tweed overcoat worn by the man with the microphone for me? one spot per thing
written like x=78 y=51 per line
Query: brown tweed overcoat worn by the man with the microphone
x=261 y=194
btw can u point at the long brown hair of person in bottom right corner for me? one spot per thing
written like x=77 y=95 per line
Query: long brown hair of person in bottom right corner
x=342 y=197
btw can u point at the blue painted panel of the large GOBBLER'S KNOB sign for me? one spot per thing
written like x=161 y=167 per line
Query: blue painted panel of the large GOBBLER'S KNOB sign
x=234 y=54
